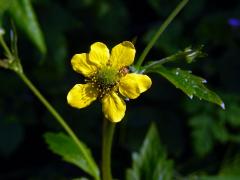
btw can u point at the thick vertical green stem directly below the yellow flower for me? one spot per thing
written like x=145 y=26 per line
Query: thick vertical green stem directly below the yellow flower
x=108 y=132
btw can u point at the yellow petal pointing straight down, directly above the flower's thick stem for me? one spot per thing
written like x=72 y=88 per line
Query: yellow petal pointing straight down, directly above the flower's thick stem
x=113 y=107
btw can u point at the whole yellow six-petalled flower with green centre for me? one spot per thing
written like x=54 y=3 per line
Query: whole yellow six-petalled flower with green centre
x=108 y=79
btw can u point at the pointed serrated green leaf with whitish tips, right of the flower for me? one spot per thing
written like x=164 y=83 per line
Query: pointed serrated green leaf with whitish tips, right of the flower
x=190 y=84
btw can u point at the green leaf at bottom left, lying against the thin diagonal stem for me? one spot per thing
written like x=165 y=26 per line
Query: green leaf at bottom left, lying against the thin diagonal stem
x=64 y=146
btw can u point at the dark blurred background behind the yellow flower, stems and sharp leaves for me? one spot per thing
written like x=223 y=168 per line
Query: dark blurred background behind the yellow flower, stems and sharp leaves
x=199 y=136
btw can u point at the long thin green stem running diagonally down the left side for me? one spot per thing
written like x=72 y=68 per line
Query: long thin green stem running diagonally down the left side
x=58 y=117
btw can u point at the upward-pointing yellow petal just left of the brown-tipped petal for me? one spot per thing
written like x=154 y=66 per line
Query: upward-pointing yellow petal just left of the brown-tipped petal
x=99 y=54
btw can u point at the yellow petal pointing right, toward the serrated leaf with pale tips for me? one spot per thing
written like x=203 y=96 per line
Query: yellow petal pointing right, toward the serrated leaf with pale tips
x=132 y=85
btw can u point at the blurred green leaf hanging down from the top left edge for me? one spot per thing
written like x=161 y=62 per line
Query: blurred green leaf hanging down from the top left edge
x=24 y=16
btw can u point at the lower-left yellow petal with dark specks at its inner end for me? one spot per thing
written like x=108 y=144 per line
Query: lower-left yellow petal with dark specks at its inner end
x=81 y=95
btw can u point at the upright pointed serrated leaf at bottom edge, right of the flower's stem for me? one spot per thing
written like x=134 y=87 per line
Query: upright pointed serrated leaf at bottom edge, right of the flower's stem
x=151 y=162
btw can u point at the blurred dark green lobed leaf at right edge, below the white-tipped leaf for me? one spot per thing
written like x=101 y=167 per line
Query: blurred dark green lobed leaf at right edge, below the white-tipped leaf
x=209 y=127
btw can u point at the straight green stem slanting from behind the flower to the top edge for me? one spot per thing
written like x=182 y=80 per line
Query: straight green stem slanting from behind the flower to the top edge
x=160 y=31
